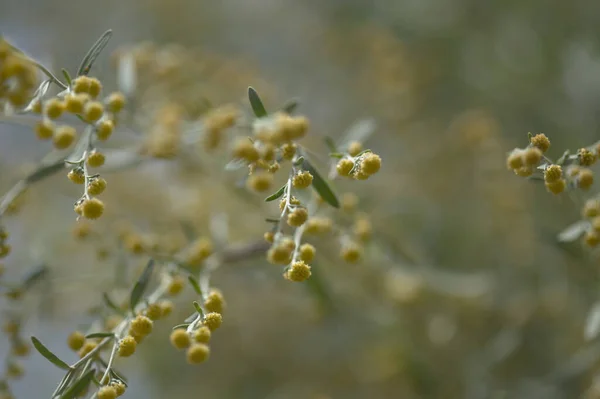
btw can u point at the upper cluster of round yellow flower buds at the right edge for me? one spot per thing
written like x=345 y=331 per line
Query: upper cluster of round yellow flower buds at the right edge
x=570 y=171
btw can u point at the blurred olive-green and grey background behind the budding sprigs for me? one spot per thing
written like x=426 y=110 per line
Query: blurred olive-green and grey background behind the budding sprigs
x=464 y=291
